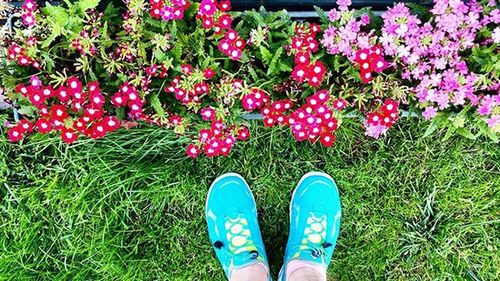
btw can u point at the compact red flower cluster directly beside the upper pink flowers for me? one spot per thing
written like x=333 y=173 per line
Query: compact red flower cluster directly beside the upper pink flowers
x=370 y=60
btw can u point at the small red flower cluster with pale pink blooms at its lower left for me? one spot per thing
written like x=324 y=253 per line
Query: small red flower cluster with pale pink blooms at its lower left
x=377 y=123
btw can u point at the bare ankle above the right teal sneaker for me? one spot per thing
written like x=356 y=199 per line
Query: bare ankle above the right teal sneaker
x=298 y=270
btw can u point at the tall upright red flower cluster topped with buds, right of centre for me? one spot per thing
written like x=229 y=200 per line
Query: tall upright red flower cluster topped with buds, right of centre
x=303 y=45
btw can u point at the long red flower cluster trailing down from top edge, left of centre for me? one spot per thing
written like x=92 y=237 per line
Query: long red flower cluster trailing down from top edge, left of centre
x=214 y=15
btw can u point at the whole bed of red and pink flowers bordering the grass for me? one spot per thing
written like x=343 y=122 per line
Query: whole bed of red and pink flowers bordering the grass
x=197 y=68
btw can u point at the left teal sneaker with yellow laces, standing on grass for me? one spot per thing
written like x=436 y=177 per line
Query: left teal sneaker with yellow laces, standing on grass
x=231 y=215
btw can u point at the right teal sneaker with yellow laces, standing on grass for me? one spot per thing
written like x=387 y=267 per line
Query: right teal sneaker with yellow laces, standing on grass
x=315 y=213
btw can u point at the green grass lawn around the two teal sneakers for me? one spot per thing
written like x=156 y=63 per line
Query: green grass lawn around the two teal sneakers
x=131 y=206
